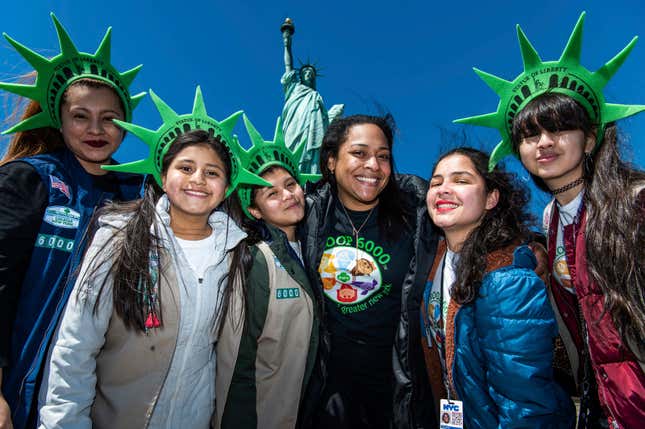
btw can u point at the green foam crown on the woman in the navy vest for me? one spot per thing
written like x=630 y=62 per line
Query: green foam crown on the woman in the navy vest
x=54 y=75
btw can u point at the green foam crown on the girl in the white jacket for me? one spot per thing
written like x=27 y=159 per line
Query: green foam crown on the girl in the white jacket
x=174 y=125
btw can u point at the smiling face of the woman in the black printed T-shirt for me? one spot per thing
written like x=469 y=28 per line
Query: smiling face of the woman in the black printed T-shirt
x=362 y=167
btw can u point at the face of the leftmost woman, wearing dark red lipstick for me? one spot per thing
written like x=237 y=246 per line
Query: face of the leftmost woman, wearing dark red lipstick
x=87 y=127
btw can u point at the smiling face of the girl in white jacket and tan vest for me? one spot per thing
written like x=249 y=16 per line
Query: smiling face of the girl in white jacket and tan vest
x=195 y=183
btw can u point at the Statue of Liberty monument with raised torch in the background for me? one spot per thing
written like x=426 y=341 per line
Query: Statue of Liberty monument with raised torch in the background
x=304 y=116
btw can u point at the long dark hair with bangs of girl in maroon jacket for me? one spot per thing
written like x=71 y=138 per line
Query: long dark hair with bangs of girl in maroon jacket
x=615 y=230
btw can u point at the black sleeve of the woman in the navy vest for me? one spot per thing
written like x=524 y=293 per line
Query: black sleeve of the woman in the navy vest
x=23 y=199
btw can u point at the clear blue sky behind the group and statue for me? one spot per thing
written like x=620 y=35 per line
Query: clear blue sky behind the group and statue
x=411 y=58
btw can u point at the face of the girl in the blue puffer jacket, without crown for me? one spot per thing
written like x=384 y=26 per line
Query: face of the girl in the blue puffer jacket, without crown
x=457 y=199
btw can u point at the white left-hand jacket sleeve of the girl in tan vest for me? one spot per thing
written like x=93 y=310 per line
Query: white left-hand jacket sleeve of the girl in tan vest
x=69 y=381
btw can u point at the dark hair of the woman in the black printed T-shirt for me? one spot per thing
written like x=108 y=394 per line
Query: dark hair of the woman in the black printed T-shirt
x=394 y=214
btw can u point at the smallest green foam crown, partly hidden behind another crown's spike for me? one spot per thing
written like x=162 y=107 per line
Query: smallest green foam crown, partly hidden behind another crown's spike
x=265 y=154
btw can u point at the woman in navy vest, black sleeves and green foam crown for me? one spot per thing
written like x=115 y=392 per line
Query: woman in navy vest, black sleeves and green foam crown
x=50 y=185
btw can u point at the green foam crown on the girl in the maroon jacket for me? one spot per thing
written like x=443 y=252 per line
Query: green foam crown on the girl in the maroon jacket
x=566 y=76
